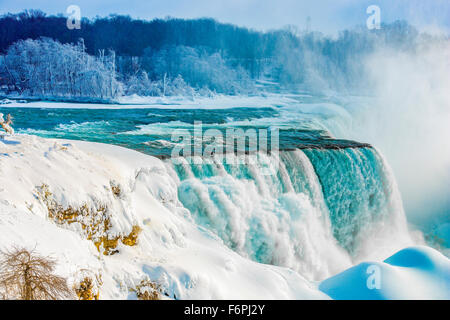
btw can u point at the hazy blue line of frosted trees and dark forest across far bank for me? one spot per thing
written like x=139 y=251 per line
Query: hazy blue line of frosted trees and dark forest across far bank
x=117 y=55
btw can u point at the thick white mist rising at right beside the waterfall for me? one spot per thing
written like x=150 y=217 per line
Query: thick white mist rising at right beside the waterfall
x=409 y=121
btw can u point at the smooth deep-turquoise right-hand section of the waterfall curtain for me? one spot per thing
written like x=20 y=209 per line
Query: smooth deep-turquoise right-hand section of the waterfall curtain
x=357 y=190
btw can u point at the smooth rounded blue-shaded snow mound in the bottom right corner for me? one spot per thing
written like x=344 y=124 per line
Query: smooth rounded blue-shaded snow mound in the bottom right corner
x=412 y=273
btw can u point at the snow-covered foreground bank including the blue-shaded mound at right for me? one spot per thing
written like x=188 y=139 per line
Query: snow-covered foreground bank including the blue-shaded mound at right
x=185 y=260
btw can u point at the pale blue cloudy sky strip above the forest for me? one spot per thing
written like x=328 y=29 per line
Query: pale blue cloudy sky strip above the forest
x=328 y=16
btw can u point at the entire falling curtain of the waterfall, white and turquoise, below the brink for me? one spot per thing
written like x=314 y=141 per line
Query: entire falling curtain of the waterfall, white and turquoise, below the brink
x=316 y=214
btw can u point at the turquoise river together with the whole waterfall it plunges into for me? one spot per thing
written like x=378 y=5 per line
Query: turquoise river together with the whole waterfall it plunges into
x=329 y=204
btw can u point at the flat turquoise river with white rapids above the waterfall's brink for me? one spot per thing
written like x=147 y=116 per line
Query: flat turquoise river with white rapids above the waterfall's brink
x=150 y=130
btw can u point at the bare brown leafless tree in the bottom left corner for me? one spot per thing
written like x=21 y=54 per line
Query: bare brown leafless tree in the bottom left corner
x=26 y=275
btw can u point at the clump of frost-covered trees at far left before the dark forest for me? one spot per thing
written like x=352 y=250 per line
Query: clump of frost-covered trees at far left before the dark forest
x=47 y=68
